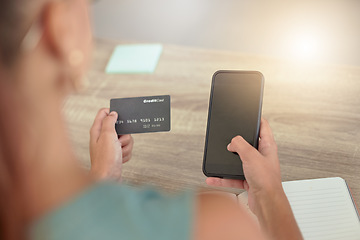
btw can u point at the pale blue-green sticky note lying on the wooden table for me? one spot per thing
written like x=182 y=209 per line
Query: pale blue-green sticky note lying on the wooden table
x=134 y=58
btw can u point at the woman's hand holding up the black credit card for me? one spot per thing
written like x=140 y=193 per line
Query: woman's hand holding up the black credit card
x=108 y=151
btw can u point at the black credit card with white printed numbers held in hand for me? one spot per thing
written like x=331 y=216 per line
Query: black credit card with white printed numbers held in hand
x=142 y=114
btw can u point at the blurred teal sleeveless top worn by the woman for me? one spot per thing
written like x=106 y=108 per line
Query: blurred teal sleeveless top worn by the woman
x=109 y=211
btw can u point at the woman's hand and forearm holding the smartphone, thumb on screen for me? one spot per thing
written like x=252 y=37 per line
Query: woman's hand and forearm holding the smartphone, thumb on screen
x=266 y=196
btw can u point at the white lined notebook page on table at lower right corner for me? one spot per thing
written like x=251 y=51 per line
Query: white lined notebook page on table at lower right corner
x=323 y=209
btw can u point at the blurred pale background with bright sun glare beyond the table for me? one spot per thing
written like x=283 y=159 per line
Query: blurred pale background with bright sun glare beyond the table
x=321 y=31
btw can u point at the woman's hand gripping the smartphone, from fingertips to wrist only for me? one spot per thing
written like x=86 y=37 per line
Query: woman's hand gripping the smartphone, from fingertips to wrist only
x=261 y=168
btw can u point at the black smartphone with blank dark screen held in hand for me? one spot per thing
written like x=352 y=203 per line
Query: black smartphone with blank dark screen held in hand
x=234 y=109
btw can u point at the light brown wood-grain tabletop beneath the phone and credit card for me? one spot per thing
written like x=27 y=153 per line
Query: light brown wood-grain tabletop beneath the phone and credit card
x=314 y=111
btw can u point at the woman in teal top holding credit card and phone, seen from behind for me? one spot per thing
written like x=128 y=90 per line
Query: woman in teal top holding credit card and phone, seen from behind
x=45 y=194
